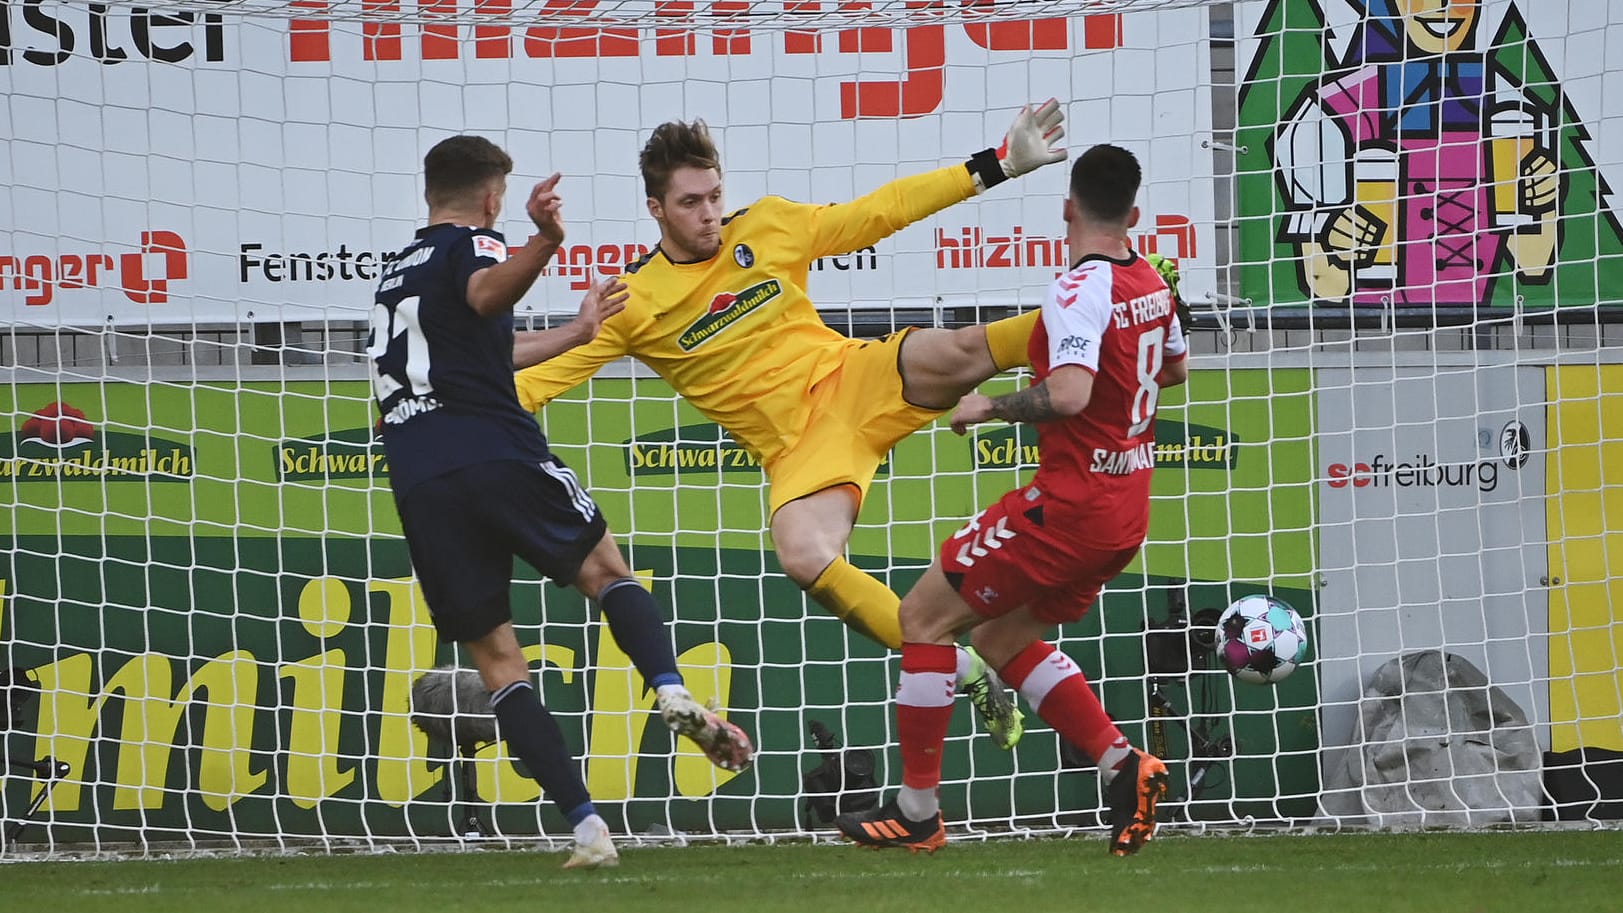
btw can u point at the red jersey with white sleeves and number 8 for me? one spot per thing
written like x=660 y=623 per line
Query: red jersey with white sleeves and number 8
x=1113 y=319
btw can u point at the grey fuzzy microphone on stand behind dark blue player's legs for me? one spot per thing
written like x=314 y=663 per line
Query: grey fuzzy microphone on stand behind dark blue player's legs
x=454 y=709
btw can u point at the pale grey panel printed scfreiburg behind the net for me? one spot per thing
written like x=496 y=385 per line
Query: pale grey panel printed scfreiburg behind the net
x=1432 y=529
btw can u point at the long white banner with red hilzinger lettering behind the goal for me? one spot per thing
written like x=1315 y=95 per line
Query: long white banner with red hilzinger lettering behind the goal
x=199 y=168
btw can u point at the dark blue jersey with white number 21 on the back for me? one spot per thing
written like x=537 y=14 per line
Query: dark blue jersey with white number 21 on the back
x=442 y=374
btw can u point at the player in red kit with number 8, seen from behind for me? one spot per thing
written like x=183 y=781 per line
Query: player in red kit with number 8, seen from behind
x=1106 y=346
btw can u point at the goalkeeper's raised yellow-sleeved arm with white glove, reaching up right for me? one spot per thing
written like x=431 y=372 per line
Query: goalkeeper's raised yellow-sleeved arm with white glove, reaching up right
x=1030 y=144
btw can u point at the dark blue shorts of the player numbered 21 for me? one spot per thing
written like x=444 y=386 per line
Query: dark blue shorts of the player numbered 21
x=465 y=528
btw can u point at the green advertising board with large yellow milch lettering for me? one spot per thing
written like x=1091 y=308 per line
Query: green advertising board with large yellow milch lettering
x=209 y=585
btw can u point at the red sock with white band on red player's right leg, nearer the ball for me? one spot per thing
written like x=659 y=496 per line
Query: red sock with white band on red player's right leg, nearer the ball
x=1053 y=684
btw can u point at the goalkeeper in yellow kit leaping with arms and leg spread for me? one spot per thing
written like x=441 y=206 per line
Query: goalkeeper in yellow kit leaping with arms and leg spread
x=720 y=311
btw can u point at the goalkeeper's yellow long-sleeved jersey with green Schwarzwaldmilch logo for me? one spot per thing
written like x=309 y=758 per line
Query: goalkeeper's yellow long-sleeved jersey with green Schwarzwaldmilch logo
x=738 y=335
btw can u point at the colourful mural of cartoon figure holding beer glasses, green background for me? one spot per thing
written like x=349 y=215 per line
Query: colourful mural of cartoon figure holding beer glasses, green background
x=1413 y=161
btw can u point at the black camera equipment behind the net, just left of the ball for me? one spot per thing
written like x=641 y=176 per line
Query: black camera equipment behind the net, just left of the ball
x=1173 y=651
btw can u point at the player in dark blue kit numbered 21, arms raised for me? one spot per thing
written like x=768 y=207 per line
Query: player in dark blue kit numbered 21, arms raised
x=476 y=484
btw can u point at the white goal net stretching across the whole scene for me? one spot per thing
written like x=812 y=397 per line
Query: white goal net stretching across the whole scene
x=1395 y=229
